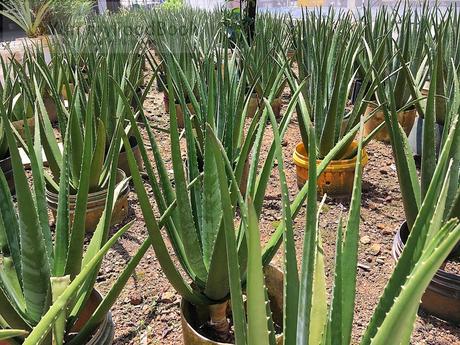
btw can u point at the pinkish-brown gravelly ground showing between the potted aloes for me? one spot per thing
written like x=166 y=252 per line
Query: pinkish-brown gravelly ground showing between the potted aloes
x=147 y=311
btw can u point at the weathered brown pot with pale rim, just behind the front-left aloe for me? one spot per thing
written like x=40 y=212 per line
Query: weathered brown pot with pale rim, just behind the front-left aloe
x=96 y=205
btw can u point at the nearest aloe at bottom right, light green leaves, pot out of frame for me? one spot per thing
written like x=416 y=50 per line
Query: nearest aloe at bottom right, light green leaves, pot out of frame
x=308 y=317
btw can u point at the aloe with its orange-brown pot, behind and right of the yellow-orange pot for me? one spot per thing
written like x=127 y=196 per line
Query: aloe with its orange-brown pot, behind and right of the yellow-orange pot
x=388 y=33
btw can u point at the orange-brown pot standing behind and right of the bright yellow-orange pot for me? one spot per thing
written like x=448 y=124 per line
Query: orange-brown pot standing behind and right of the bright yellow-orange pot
x=405 y=118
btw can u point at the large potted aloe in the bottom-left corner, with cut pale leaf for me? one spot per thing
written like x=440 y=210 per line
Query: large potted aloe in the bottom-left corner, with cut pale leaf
x=43 y=273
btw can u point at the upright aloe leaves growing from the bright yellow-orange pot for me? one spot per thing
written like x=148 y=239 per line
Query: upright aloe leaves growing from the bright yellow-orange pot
x=327 y=50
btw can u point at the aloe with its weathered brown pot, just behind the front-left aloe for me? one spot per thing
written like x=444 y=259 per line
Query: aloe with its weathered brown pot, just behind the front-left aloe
x=84 y=128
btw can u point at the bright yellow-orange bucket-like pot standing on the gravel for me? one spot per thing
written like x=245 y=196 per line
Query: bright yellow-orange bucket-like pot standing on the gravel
x=337 y=179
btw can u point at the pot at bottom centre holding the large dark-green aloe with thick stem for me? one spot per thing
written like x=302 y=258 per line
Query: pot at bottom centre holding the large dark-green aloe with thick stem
x=193 y=317
